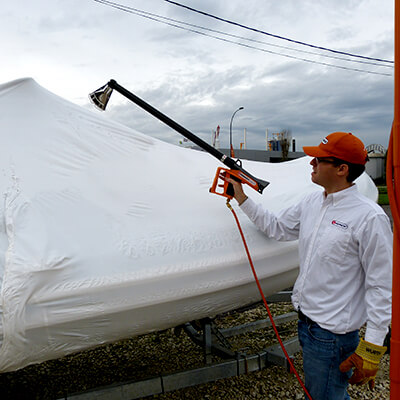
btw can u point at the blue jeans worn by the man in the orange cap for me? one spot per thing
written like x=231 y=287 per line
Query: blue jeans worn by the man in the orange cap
x=323 y=351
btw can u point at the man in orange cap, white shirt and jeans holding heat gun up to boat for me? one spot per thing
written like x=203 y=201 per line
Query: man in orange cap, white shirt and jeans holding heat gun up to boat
x=345 y=254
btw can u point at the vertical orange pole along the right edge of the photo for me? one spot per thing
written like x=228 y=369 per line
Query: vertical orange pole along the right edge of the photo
x=394 y=156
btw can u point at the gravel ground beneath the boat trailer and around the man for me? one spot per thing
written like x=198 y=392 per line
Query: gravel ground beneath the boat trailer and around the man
x=164 y=352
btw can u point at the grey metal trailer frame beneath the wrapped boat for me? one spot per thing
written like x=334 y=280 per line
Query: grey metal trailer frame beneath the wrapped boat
x=213 y=342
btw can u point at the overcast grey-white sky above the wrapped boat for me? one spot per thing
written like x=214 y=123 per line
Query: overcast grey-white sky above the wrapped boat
x=72 y=47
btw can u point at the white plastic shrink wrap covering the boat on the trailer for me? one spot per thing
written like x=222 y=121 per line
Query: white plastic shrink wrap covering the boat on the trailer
x=106 y=233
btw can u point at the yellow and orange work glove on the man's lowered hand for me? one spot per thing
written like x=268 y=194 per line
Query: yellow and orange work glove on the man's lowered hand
x=365 y=362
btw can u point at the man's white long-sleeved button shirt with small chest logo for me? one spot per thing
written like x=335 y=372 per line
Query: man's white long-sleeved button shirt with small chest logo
x=345 y=255
